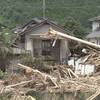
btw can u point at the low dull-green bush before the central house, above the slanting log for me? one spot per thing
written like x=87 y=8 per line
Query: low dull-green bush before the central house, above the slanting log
x=38 y=63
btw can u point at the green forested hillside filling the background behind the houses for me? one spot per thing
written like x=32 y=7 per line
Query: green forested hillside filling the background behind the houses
x=16 y=12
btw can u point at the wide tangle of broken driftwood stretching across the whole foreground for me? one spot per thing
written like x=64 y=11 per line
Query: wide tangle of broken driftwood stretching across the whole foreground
x=62 y=79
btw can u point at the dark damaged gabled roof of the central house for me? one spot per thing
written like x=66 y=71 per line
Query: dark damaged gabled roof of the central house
x=35 y=23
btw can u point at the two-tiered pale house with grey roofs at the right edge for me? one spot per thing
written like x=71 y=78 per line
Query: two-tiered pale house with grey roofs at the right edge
x=94 y=35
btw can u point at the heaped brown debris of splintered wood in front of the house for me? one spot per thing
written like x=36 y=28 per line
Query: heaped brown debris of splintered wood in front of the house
x=61 y=80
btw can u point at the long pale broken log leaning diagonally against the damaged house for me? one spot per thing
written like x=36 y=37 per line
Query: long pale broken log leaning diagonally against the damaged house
x=55 y=33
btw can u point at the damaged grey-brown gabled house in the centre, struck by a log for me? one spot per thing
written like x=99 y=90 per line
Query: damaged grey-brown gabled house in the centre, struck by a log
x=32 y=37
